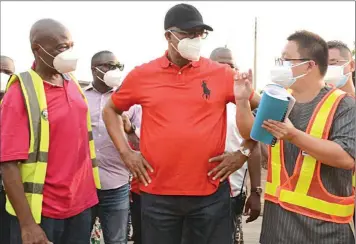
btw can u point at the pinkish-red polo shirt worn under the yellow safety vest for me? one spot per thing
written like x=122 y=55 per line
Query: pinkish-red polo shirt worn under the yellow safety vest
x=69 y=185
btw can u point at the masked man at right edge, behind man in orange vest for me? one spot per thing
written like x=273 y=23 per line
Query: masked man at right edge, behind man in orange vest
x=341 y=67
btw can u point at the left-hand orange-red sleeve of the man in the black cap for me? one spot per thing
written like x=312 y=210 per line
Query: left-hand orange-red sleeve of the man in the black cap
x=127 y=95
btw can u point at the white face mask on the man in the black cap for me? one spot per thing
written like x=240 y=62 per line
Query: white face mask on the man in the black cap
x=189 y=48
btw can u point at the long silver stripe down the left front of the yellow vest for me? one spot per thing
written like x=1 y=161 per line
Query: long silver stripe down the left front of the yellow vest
x=35 y=112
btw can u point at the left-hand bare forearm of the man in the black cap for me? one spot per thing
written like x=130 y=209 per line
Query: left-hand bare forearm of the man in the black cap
x=114 y=125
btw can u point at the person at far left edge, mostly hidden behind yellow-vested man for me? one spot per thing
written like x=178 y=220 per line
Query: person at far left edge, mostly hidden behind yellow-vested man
x=7 y=68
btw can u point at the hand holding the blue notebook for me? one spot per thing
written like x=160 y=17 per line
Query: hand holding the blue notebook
x=280 y=130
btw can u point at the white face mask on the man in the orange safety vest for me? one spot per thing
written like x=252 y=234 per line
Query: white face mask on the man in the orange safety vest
x=283 y=75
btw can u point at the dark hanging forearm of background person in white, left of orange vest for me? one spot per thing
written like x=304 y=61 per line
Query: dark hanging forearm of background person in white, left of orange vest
x=254 y=167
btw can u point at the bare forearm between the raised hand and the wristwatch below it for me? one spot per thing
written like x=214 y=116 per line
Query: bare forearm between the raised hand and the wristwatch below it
x=244 y=118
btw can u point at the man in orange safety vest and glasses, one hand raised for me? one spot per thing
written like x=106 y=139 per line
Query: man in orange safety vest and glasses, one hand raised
x=309 y=196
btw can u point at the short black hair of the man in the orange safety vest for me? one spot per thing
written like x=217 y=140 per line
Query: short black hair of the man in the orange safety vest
x=312 y=46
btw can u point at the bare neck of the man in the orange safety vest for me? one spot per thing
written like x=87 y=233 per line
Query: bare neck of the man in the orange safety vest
x=308 y=91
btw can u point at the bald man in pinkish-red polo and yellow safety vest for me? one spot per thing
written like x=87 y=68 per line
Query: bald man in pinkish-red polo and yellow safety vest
x=47 y=153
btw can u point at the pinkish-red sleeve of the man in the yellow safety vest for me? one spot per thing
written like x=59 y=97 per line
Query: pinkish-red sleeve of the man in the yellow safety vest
x=14 y=133
